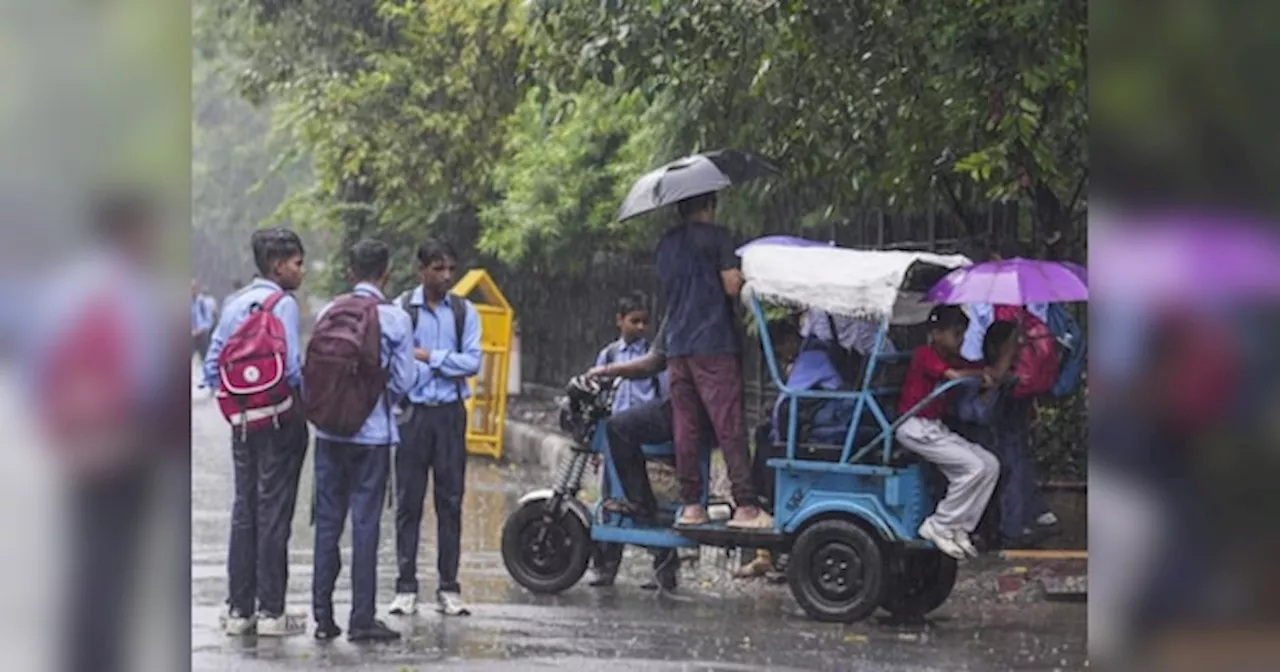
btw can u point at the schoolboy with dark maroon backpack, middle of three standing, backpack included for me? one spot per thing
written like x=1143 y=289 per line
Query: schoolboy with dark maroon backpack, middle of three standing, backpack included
x=351 y=408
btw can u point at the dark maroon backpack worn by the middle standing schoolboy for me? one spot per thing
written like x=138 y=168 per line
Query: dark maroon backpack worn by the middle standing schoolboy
x=344 y=373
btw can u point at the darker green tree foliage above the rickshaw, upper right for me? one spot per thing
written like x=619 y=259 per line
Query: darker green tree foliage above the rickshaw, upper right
x=857 y=100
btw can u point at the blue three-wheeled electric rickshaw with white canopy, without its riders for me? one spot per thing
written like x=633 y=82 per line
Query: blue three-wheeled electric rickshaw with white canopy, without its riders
x=845 y=515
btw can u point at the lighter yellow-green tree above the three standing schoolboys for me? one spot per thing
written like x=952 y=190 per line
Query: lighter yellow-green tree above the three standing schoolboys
x=401 y=106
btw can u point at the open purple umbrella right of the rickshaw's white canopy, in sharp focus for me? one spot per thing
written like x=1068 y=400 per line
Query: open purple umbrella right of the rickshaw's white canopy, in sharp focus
x=1013 y=282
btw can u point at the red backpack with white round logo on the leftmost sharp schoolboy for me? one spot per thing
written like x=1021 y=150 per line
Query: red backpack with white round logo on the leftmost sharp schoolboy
x=254 y=394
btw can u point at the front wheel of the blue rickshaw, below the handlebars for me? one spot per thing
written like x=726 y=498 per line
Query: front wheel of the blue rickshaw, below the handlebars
x=546 y=552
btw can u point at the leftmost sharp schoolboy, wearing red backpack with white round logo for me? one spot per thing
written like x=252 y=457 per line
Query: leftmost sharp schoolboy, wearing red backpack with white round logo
x=255 y=368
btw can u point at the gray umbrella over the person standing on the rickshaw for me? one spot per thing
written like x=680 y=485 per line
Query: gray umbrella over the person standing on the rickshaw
x=693 y=176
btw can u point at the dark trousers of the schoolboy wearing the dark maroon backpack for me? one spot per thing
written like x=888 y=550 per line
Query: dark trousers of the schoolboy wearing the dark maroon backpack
x=349 y=478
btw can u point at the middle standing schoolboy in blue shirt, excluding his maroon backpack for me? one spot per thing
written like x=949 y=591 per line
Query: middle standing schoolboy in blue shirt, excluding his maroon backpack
x=353 y=472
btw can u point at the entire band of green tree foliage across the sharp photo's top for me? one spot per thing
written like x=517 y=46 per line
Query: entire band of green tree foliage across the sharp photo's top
x=518 y=126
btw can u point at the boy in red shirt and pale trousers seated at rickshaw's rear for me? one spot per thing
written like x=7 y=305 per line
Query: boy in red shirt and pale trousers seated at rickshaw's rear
x=971 y=470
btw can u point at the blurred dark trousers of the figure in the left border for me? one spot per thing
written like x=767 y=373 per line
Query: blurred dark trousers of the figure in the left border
x=107 y=524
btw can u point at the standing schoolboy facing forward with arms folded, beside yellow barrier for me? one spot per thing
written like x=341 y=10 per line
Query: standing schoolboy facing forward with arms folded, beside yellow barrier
x=447 y=349
